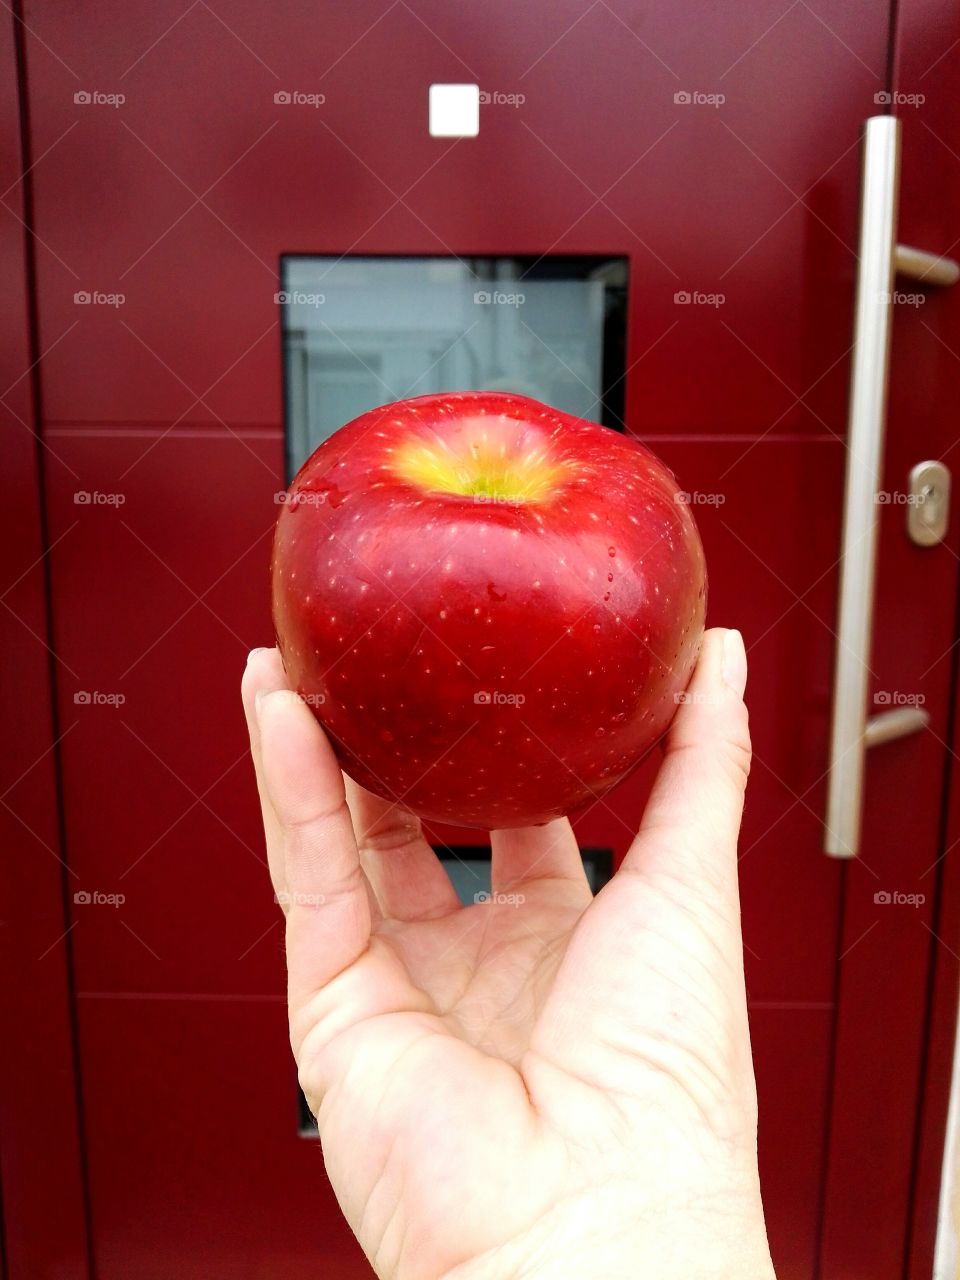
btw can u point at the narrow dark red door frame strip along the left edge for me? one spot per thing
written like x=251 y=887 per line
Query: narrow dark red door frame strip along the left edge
x=42 y=1156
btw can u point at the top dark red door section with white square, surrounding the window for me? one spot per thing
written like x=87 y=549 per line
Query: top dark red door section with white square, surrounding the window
x=733 y=199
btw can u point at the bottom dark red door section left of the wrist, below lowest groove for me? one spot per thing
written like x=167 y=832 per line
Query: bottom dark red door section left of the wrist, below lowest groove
x=196 y=1164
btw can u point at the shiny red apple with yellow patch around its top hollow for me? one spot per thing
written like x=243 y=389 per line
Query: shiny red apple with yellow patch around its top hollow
x=483 y=659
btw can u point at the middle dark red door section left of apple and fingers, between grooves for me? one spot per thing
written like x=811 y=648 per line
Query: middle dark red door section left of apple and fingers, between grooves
x=164 y=591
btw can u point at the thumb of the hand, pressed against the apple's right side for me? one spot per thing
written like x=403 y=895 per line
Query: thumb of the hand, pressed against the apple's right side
x=692 y=822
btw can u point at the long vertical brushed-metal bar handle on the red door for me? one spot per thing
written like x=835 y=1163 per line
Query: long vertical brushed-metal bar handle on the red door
x=880 y=258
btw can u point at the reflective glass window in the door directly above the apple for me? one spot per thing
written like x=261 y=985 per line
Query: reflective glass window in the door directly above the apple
x=360 y=332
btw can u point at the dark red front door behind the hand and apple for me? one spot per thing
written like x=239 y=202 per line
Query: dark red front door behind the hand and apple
x=179 y=163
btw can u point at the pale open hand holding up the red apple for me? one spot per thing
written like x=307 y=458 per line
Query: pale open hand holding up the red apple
x=550 y=1090
